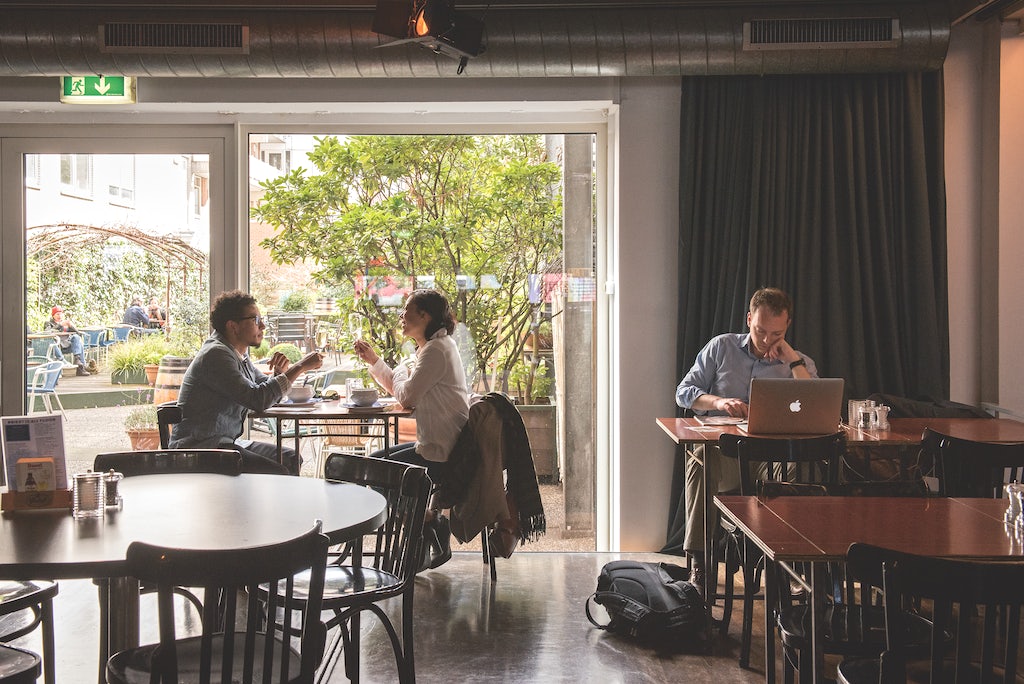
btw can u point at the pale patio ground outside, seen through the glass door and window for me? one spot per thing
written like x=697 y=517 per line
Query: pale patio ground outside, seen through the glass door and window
x=97 y=431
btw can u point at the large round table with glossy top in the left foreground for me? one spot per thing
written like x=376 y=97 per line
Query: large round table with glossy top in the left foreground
x=194 y=510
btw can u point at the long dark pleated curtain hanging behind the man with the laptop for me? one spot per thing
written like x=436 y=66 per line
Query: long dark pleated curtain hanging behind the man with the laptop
x=832 y=189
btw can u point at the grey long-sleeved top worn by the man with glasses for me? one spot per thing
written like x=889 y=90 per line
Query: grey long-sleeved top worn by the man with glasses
x=219 y=390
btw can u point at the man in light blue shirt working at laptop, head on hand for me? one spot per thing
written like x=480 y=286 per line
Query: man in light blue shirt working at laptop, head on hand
x=719 y=384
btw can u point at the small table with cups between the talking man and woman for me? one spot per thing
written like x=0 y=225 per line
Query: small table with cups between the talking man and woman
x=317 y=412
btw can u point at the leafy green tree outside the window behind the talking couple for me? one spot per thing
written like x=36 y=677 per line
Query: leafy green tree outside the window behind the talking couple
x=477 y=213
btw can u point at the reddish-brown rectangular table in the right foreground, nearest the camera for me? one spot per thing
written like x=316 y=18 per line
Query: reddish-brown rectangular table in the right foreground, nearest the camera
x=820 y=530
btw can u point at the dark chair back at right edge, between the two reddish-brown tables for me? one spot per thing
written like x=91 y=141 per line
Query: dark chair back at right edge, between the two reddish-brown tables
x=968 y=468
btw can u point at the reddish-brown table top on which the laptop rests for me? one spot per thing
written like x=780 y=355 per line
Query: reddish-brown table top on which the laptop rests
x=903 y=432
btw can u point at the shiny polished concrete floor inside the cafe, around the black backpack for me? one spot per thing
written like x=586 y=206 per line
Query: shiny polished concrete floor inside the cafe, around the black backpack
x=528 y=627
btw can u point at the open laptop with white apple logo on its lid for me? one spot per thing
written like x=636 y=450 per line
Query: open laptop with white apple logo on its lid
x=790 y=406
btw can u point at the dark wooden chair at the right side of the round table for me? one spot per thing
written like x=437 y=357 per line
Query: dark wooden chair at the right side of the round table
x=390 y=571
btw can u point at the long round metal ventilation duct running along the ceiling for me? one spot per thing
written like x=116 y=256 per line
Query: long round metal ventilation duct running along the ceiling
x=520 y=44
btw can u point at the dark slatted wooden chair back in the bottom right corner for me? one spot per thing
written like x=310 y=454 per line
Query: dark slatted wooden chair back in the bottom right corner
x=976 y=604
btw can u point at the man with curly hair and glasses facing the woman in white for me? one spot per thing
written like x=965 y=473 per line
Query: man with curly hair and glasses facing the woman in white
x=223 y=384
